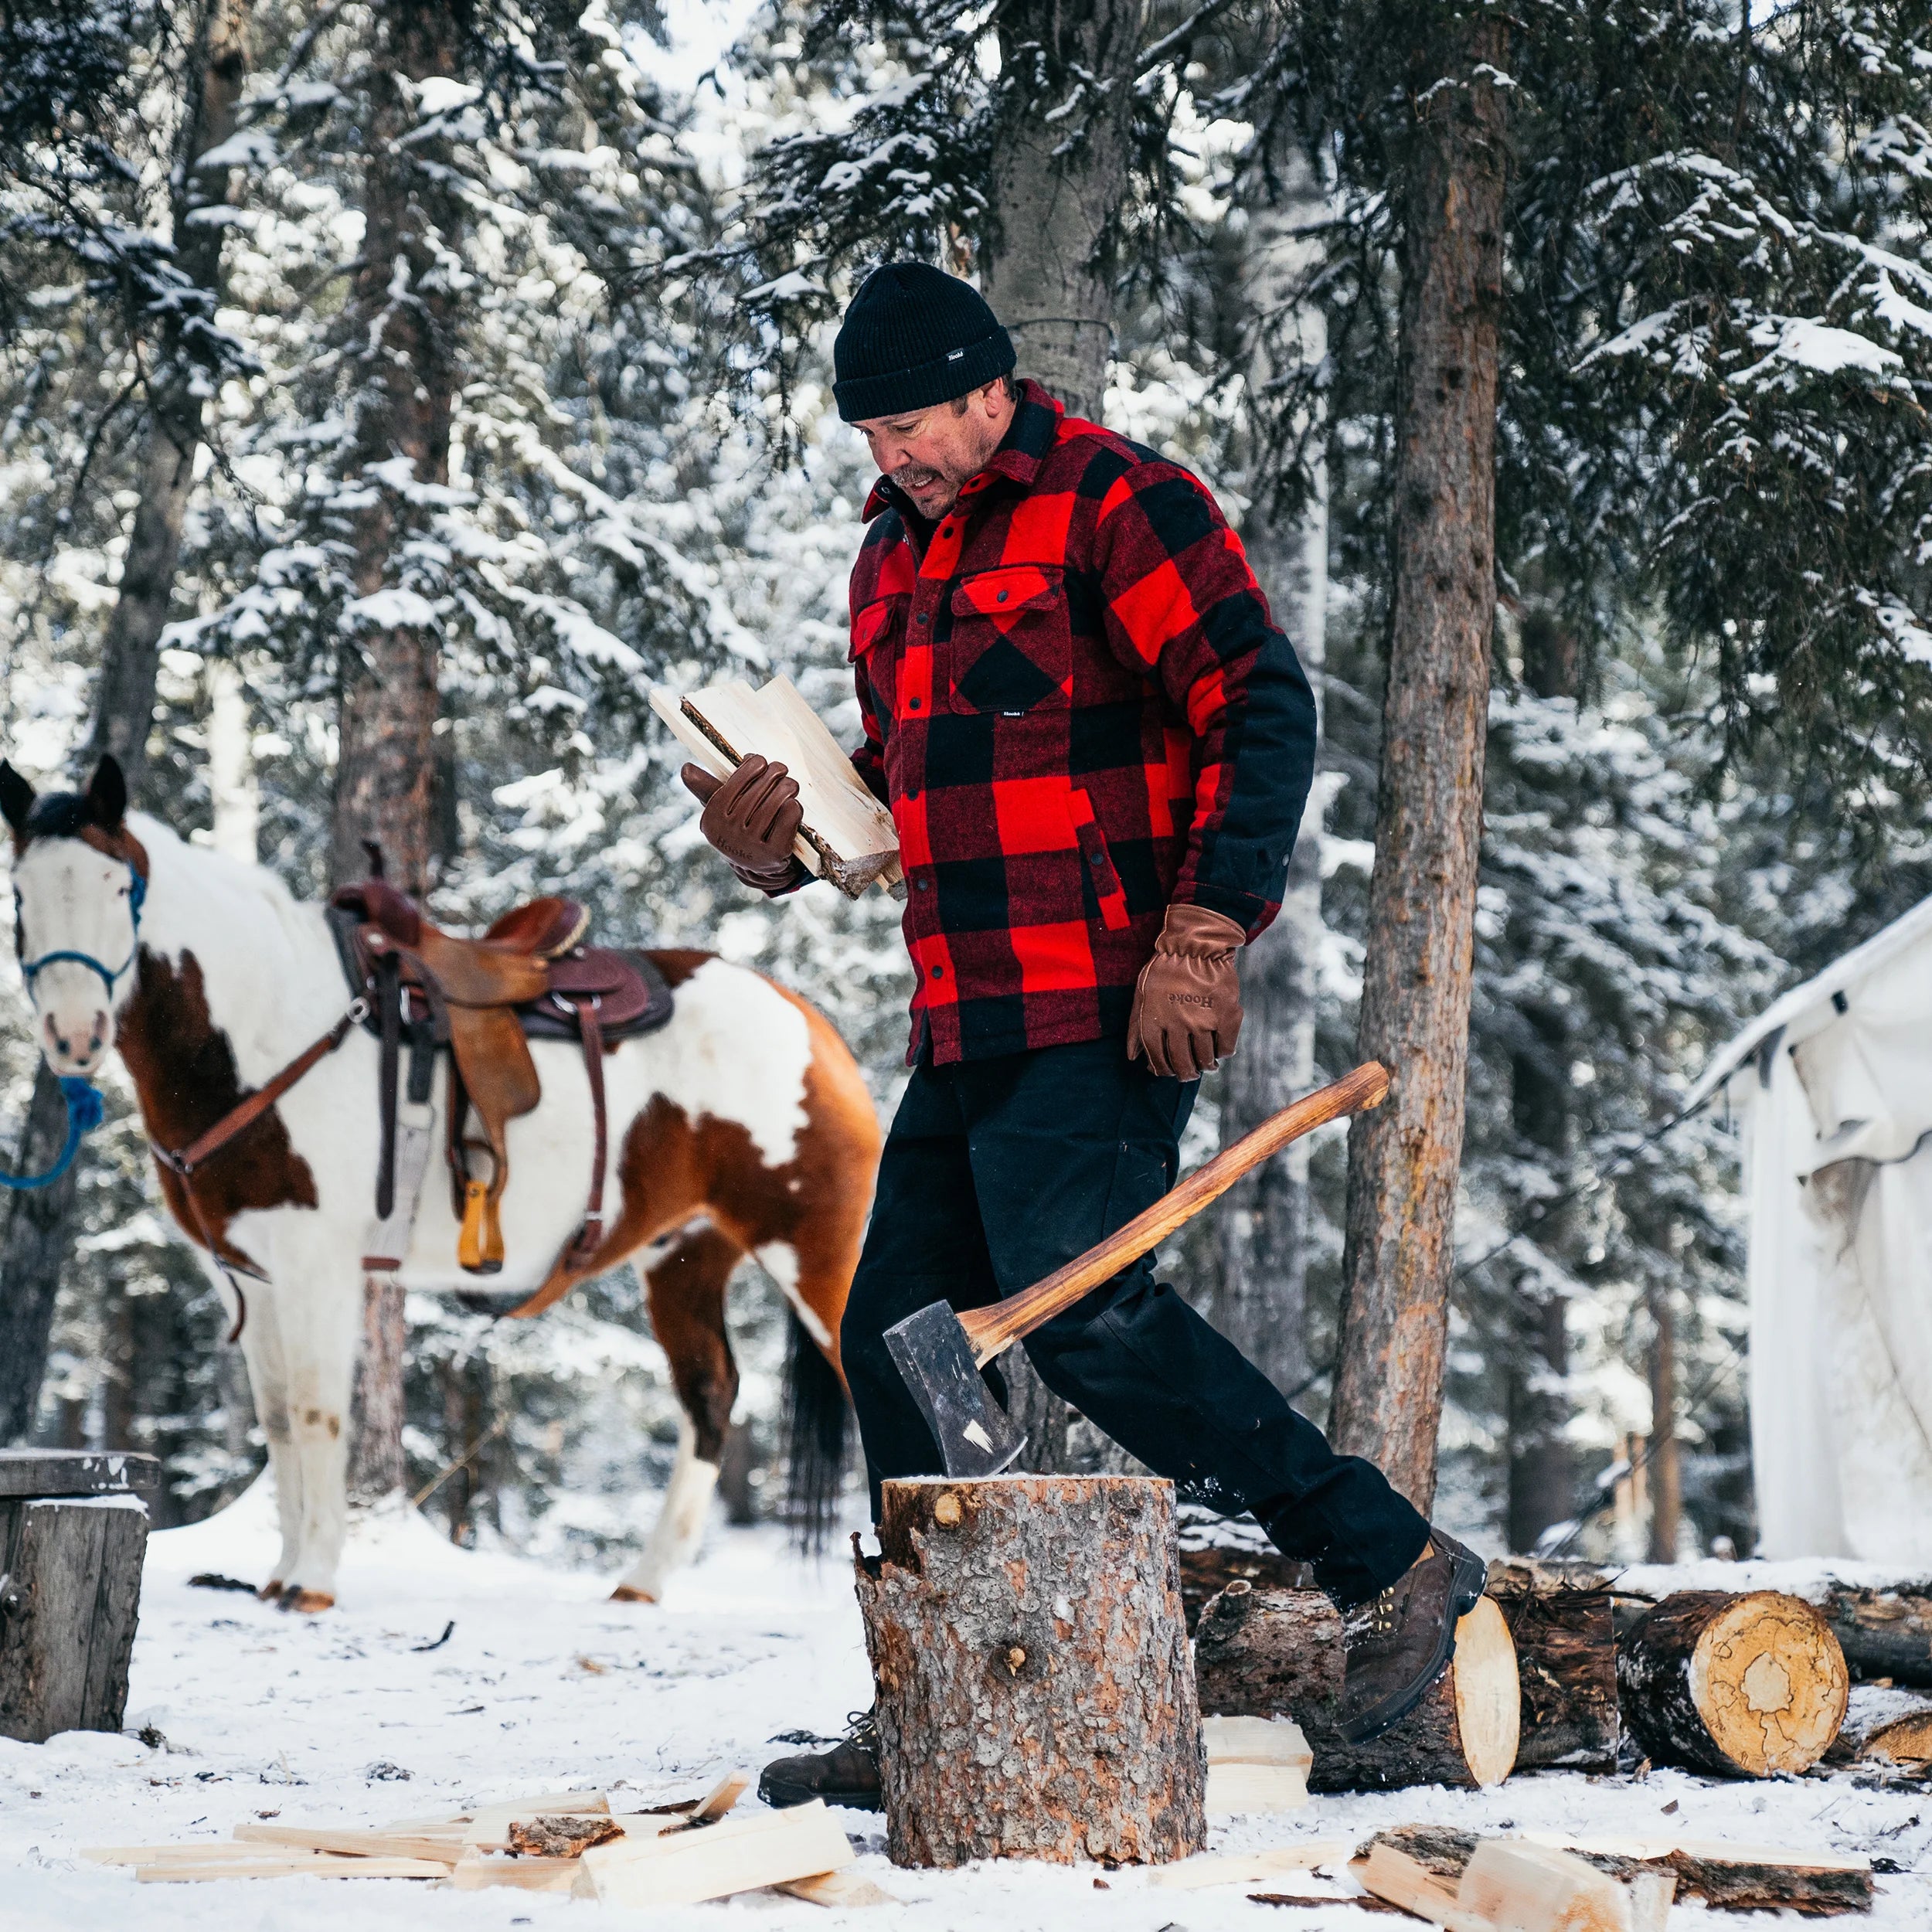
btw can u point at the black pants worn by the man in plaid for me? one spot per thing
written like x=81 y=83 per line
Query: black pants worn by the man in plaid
x=994 y=1176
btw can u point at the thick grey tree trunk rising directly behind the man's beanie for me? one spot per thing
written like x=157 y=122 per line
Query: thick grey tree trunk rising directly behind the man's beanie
x=1058 y=190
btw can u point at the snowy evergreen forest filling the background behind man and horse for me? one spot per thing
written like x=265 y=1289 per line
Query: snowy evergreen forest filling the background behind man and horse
x=1707 y=758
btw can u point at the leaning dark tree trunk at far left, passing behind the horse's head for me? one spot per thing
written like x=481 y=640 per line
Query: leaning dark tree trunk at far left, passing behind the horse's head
x=40 y=1228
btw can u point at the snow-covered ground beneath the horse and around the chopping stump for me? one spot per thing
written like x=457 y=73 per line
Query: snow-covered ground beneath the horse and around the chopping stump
x=546 y=1686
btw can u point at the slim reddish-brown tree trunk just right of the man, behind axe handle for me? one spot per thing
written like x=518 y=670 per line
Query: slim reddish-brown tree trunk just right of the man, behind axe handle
x=1404 y=1158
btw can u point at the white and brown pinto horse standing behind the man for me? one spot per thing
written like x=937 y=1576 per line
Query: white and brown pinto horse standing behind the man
x=743 y=1127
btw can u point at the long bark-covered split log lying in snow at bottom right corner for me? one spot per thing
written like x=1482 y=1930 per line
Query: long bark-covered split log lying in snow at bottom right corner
x=1722 y=1875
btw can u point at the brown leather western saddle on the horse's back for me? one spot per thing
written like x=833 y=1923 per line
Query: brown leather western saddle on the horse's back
x=486 y=1000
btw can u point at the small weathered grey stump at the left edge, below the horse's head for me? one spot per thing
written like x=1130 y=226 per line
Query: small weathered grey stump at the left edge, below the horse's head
x=72 y=1543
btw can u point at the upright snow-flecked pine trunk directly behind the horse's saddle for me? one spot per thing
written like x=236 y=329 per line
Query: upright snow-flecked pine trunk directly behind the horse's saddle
x=403 y=314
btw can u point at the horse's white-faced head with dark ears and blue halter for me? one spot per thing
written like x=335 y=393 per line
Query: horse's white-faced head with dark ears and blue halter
x=80 y=878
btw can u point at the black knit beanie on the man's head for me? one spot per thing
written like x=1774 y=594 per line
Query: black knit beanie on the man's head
x=911 y=339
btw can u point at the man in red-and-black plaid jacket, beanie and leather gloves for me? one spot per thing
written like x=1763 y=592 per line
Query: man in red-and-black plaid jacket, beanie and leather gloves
x=1096 y=749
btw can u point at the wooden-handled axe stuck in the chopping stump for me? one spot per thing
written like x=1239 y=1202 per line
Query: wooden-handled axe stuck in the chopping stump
x=940 y=1351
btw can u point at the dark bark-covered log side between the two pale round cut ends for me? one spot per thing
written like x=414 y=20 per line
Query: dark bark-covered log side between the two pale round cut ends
x=1568 y=1670
